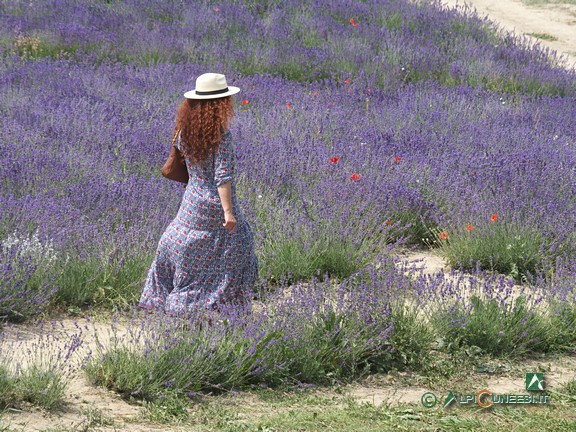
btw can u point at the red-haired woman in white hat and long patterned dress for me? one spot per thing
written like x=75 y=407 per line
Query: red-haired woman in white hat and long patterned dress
x=206 y=255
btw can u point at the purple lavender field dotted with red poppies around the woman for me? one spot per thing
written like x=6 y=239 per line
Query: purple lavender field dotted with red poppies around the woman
x=362 y=128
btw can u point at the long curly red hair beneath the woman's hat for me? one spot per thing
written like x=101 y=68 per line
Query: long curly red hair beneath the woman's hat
x=201 y=123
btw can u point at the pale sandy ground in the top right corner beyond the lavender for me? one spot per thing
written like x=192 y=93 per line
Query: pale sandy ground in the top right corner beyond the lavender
x=554 y=19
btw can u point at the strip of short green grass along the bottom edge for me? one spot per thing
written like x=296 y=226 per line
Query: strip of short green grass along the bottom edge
x=327 y=410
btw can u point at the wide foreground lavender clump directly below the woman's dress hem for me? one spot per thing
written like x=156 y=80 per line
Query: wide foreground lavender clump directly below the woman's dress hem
x=309 y=333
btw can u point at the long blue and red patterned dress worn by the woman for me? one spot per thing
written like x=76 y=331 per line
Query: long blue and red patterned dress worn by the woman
x=198 y=263
